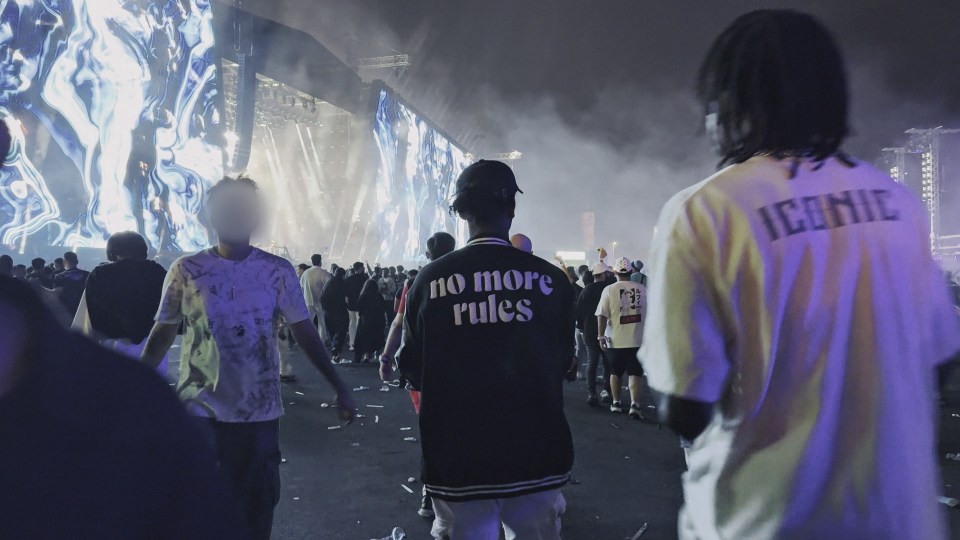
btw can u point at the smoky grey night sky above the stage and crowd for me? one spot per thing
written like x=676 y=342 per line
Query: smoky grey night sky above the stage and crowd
x=598 y=93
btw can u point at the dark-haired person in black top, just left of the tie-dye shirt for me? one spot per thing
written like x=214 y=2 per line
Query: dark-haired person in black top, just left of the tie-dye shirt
x=121 y=297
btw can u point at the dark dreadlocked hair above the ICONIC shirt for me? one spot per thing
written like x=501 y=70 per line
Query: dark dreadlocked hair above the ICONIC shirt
x=776 y=81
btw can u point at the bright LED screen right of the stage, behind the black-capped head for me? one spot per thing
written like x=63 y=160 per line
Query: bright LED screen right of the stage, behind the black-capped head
x=416 y=177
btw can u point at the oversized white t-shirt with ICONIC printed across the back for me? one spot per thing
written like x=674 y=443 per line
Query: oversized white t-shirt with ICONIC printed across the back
x=811 y=312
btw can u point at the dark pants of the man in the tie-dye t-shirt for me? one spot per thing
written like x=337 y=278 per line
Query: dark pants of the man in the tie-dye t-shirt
x=249 y=458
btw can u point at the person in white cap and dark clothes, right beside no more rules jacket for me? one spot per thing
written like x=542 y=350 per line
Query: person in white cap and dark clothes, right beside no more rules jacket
x=587 y=304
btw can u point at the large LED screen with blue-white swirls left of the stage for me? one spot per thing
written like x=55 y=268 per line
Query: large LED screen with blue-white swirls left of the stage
x=111 y=104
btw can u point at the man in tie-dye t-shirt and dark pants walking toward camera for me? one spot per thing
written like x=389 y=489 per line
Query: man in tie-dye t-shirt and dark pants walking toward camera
x=230 y=298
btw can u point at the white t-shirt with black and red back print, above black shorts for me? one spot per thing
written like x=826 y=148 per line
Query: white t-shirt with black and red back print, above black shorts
x=624 y=304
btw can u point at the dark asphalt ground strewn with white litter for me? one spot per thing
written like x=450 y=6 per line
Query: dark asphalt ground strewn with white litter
x=347 y=484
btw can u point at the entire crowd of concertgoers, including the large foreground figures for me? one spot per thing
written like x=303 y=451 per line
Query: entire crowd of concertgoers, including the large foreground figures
x=775 y=332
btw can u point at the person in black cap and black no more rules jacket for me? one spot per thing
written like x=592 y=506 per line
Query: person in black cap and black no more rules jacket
x=489 y=337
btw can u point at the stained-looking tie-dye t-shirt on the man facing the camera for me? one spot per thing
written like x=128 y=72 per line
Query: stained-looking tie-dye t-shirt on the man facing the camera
x=230 y=362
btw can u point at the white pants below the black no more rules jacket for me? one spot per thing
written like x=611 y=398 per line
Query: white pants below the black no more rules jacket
x=528 y=517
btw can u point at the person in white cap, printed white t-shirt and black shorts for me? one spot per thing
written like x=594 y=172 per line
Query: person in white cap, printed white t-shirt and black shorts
x=620 y=317
